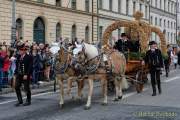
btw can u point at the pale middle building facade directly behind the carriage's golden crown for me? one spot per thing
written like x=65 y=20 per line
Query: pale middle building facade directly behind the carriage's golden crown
x=113 y=10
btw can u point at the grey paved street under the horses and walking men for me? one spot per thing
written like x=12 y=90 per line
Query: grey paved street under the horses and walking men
x=133 y=107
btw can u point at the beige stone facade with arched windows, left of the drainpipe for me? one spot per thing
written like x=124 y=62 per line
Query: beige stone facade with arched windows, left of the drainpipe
x=45 y=21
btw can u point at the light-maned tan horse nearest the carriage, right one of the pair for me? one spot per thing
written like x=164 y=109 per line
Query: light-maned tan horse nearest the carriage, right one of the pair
x=116 y=62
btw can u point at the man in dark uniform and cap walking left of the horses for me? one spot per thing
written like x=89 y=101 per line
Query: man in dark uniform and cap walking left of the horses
x=23 y=72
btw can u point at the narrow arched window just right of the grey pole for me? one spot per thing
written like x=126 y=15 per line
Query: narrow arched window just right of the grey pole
x=19 y=29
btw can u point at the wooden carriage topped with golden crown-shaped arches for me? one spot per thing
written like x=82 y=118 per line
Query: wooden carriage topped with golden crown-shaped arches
x=135 y=72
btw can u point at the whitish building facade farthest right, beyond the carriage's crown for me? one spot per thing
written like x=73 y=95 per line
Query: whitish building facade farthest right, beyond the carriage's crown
x=163 y=15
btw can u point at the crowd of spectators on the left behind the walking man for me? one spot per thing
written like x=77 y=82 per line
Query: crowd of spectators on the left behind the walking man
x=42 y=63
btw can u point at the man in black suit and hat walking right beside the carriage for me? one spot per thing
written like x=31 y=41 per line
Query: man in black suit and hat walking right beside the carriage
x=154 y=60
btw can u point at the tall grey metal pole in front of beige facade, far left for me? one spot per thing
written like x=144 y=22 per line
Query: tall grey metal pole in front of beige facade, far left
x=13 y=28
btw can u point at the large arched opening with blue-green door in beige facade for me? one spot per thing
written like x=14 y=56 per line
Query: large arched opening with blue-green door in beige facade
x=39 y=30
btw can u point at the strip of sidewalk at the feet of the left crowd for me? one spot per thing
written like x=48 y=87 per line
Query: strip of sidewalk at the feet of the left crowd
x=43 y=87
